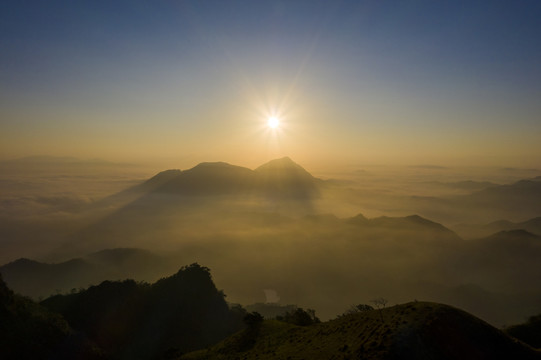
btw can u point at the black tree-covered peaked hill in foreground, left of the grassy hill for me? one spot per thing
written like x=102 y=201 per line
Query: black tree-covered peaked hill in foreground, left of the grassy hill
x=137 y=320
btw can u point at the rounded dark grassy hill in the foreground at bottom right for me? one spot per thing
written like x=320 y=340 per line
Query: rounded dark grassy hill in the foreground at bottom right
x=417 y=330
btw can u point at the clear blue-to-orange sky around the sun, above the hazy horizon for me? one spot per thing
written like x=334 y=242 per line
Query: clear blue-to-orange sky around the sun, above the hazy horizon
x=439 y=82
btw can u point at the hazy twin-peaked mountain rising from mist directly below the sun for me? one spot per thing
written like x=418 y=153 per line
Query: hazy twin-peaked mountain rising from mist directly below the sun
x=279 y=180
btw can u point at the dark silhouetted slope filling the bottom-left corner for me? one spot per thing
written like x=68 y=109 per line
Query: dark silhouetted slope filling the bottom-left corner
x=29 y=331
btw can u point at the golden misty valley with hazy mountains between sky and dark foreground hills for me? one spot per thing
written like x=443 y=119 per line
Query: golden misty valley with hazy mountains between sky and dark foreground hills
x=347 y=237
